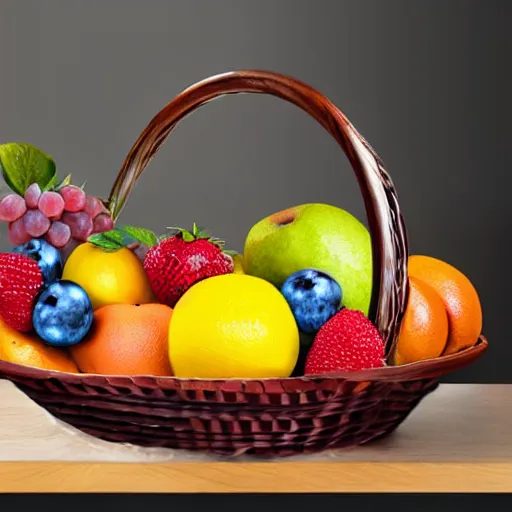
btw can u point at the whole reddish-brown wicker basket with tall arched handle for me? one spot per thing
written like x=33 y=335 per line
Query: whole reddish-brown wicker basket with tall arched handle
x=275 y=417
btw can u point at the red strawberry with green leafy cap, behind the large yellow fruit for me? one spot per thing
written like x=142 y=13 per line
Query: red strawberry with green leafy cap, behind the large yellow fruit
x=176 y=263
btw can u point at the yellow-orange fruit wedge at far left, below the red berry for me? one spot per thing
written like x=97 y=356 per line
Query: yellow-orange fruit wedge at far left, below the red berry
x=30 y=350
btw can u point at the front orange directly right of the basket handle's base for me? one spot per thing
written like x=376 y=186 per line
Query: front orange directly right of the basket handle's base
x=424 y=330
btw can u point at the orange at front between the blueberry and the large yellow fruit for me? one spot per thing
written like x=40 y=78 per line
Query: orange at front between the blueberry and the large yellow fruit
x=126 y=339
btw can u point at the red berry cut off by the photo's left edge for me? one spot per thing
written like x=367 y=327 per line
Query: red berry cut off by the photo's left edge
x=20 y=282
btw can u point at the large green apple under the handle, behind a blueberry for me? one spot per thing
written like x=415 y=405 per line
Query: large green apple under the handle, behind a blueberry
x=318 y=236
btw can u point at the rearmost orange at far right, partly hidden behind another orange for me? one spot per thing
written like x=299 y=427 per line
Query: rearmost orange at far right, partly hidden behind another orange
x=460 y=299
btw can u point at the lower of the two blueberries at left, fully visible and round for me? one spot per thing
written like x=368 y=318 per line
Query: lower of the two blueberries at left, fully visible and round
x=63 y=314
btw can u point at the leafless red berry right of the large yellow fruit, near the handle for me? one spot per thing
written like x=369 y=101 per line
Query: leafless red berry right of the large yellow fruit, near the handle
x=346 y=342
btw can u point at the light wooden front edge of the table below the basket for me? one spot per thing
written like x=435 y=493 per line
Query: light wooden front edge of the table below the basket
x=260 y=477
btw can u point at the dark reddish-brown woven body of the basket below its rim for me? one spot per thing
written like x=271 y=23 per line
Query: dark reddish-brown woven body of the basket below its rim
x=231 y=418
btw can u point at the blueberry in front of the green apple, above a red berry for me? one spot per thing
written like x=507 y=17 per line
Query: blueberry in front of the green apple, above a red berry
x=313 y=296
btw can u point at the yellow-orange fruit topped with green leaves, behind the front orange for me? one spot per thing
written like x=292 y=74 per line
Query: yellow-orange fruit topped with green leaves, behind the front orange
x=108 y=277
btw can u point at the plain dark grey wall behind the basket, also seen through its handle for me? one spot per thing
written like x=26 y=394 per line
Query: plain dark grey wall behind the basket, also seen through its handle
x=426 y=82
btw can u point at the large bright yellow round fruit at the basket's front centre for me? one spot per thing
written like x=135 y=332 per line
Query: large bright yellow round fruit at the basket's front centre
x=233 y=326
